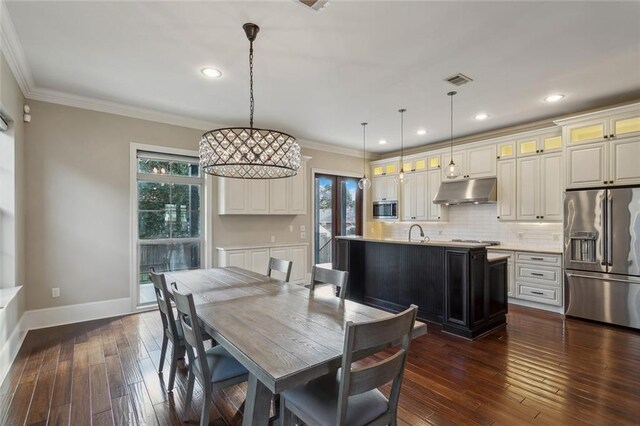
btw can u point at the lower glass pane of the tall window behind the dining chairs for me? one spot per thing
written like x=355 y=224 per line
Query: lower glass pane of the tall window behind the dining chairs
x=164 y=257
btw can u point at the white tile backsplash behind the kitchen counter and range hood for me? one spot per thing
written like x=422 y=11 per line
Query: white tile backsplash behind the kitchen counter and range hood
x=478 y=222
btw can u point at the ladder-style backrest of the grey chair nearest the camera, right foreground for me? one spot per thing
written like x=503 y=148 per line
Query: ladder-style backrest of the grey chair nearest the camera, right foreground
x=360 y=341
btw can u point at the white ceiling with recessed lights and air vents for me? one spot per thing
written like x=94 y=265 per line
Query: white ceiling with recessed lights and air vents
x=319 y=74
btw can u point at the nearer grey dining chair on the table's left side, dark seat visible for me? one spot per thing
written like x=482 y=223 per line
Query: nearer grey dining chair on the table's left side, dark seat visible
x=214 y=368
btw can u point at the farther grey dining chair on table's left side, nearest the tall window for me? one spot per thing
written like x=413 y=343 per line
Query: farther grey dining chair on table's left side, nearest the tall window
x=171 y=326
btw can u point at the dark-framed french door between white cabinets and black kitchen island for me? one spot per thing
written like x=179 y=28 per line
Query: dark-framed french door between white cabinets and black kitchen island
x=338 y=211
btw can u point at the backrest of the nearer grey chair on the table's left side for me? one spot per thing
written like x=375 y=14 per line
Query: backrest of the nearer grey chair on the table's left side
x=192 y=335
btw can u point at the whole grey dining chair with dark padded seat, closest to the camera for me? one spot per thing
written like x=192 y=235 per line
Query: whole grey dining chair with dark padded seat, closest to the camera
x=350 y=397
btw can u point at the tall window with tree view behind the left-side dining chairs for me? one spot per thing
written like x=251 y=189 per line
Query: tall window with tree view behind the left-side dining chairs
x=170 y=233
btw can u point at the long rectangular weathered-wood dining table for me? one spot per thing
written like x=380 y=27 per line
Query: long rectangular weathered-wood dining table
x=283 y=334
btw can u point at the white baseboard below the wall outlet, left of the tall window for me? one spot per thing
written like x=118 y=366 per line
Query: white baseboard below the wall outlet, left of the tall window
x=50 y=317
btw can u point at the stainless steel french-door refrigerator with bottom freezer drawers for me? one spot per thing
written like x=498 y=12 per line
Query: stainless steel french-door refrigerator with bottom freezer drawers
x=602 y=255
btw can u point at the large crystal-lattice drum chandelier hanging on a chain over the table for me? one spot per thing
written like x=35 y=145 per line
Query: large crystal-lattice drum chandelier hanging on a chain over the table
x=249 y=152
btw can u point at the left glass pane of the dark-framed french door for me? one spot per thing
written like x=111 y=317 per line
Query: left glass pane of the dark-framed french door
x=324 y=218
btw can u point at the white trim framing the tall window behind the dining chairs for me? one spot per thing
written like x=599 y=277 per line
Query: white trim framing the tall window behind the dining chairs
x=207 y=252
